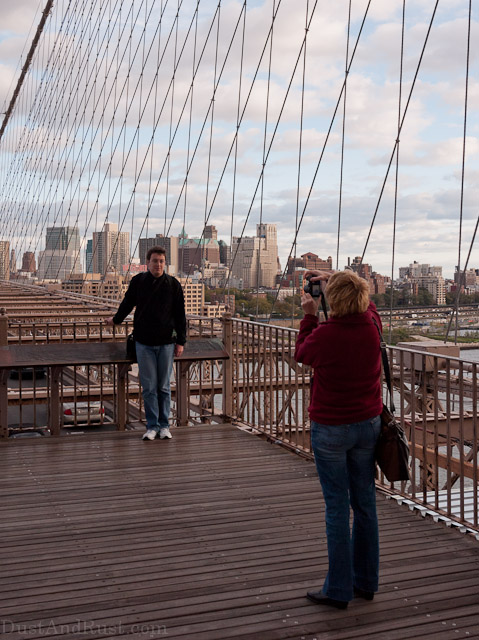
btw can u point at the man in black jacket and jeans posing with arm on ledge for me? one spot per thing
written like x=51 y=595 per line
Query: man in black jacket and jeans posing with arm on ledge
x=159 y=329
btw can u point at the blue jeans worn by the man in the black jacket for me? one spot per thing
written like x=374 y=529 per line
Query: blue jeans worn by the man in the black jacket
x=155 y=365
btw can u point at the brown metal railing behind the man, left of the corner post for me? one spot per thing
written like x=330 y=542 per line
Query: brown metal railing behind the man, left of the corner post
x=88 y=394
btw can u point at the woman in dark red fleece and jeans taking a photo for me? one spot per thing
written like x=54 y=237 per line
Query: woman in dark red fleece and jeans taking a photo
x=345 y=412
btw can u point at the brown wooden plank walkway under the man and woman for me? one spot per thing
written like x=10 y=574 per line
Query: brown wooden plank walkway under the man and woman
x=214 y=534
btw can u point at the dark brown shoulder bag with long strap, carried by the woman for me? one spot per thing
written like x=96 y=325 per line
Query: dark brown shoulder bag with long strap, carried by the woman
x=392 y=448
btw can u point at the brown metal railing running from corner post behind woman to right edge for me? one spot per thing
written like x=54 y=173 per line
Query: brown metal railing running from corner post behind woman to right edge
x=436 y=401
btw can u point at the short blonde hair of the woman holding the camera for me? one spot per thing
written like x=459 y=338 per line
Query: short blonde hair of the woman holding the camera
x=347 y=293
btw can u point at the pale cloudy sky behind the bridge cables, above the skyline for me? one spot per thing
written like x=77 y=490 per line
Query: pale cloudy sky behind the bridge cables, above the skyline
x=107 y=115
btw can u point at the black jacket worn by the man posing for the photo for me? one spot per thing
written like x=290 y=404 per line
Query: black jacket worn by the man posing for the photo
x=160 y=309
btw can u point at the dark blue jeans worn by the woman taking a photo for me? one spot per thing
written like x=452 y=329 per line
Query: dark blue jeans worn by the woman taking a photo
x=344 y=457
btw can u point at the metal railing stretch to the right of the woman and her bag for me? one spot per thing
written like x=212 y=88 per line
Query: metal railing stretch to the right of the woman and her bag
x=436 y=399
